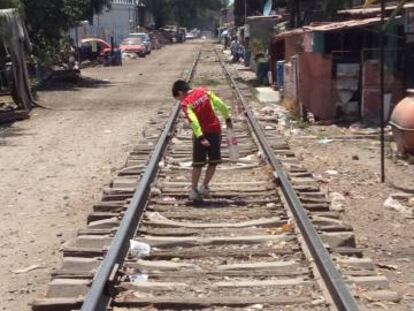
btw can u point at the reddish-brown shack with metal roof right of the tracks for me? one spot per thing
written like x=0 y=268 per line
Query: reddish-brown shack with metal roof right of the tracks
x=332 y=69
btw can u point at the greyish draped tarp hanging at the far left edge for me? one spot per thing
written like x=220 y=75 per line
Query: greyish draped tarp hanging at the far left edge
x=14 y=37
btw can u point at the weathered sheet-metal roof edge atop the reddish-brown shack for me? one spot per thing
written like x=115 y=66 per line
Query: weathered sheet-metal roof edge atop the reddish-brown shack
x=326 y=27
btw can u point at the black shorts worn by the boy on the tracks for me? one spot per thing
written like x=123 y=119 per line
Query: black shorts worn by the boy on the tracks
x=201 y=153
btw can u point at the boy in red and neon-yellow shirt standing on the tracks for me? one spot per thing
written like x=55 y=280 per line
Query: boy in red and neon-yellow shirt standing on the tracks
x=200 y=107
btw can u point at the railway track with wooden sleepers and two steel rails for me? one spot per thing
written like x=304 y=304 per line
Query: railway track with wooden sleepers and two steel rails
x=265 y=240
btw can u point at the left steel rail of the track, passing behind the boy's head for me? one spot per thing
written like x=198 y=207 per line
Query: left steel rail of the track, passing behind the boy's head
x=100 y=294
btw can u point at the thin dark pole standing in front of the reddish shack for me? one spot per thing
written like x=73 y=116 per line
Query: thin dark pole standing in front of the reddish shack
x=382 y=92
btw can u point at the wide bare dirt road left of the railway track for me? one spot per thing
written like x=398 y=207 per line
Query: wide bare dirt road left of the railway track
x=53 y=166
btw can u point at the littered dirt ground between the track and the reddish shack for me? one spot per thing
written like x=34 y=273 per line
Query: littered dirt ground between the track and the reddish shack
x=385 y=235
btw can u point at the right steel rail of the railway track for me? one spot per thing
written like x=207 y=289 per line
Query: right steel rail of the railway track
x=338 y=290
